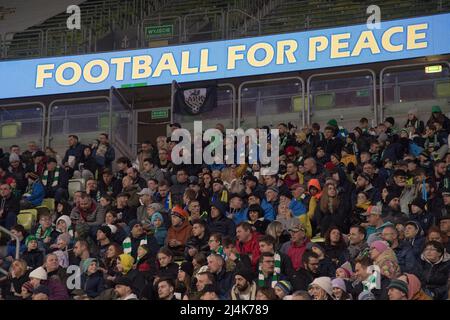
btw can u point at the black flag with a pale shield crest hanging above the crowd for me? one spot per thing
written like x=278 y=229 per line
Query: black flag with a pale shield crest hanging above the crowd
x=195 y=101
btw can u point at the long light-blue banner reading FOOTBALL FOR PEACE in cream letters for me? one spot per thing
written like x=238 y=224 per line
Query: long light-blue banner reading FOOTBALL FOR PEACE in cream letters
x=397 y=39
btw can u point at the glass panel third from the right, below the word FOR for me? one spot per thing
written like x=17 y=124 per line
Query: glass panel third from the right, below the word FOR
x=270 y=103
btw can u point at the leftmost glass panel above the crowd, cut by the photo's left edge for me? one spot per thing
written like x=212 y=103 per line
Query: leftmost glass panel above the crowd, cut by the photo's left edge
x=19 y=125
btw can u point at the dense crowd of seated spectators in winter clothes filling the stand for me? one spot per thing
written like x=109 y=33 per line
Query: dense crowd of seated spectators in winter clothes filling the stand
x=359 y=214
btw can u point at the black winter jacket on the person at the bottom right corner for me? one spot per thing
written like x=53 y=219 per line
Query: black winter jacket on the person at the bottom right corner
x=434 y=276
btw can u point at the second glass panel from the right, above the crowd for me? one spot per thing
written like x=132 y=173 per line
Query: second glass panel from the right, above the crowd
x=346 y=98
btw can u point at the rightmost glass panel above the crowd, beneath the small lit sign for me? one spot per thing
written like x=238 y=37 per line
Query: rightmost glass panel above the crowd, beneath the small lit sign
x=413 y=88
